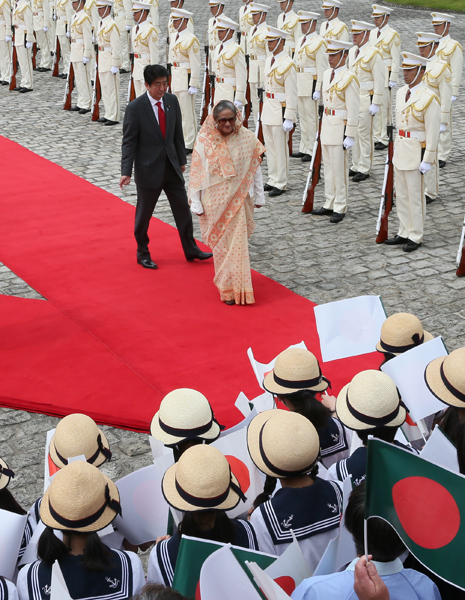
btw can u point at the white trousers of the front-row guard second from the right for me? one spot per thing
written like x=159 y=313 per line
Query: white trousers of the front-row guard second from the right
x=336 y=177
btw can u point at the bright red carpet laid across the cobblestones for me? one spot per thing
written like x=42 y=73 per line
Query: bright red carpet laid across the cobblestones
x=114 y=338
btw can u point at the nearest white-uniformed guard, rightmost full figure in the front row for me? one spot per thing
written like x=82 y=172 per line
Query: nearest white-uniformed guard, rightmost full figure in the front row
x=418 y=119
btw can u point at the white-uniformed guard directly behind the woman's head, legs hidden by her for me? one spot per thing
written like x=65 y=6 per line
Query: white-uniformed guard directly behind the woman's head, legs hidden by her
x=231 y=71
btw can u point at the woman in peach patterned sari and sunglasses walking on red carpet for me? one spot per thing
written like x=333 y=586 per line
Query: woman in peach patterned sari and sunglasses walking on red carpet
x=225 y=185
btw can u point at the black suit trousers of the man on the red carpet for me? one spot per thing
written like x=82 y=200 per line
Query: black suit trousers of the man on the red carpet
x=175 y=190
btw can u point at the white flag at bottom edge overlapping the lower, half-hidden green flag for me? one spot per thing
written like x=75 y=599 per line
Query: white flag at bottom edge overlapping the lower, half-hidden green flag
x=223 y=578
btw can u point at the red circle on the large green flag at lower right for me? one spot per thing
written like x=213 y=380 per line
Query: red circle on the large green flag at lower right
x=427 y=511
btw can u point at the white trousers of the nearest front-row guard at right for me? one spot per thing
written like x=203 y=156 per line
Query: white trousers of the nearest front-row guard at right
x=411 y=205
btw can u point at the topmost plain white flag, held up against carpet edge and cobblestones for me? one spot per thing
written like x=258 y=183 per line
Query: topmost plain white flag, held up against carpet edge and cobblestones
x=349 y=327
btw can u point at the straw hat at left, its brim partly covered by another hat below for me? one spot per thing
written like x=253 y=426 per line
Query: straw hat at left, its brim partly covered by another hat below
x=78 y=434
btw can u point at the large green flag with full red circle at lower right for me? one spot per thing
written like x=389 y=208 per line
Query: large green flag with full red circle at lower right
x=423 y=502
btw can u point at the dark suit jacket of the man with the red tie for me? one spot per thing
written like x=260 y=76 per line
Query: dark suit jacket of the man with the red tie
x=144 y=145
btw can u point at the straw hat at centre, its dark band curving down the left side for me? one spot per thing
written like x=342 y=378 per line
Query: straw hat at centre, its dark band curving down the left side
x=283 y=444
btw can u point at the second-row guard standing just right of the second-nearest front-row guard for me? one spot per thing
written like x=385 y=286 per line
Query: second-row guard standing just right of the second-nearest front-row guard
x=366 y=62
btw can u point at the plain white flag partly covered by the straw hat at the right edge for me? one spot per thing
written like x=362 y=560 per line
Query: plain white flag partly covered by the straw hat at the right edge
x=408 y=372
